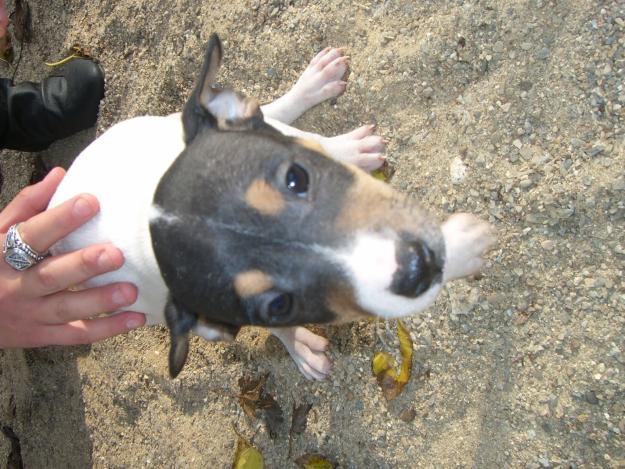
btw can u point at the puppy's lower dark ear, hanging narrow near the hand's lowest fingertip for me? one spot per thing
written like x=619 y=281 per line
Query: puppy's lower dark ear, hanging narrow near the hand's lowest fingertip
x=180 y=322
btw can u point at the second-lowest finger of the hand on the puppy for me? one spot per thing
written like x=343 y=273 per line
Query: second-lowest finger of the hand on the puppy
x=67 y=306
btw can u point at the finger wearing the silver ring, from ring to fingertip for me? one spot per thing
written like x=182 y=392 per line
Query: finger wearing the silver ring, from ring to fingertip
x=45 y=229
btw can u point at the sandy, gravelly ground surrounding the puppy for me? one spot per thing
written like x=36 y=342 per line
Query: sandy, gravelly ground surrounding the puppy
x=509 y=109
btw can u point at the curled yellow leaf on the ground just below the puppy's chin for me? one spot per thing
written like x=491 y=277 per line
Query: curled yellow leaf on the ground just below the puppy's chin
x=384 y=367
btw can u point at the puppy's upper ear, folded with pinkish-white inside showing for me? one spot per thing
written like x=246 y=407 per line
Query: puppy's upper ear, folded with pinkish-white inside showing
x=213 y=107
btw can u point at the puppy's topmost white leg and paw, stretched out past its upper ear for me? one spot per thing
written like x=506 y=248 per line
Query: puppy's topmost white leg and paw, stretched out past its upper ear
x=322 y=79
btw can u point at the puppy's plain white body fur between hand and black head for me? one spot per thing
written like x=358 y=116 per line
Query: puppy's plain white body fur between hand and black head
x=122 y=169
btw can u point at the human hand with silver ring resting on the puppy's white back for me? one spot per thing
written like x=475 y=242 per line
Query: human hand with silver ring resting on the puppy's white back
x=36 y=307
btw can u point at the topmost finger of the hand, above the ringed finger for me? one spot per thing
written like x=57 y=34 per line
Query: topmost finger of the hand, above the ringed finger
x=31 y=200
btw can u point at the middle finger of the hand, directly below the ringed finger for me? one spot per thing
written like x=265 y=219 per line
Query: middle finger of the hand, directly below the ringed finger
x=61 y=272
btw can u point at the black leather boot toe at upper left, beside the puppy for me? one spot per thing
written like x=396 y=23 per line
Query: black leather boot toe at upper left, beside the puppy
x=33 y=115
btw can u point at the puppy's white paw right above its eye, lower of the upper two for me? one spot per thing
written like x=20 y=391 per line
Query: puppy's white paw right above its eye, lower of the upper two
x=359 y=147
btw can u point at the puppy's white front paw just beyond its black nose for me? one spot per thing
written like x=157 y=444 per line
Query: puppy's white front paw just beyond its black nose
x=466 y=240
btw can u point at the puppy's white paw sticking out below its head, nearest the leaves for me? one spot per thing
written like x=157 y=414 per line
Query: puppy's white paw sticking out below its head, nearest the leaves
x=307 y=350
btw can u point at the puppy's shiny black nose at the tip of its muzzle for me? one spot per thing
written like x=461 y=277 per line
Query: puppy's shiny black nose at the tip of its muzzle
x=418 y=268
